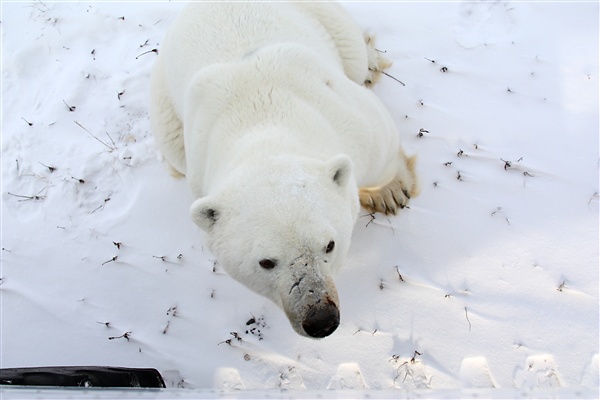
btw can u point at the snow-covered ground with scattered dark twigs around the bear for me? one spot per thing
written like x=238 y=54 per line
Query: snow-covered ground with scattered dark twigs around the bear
x=489 y=280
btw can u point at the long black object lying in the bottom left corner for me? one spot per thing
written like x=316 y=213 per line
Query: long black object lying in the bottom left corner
x=82 y=377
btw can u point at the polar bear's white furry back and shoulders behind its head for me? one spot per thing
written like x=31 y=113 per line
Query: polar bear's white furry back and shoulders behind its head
x=297 y=66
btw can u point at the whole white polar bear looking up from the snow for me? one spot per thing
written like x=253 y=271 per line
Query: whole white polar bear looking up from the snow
x=263 y=107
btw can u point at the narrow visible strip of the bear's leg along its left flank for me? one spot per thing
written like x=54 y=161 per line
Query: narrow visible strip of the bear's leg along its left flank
x=166 y=125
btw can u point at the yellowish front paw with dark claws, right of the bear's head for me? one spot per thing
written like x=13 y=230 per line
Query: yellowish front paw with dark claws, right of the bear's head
x=388 y=199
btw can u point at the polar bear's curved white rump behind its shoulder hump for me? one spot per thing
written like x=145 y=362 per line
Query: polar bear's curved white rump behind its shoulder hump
x=225 y=35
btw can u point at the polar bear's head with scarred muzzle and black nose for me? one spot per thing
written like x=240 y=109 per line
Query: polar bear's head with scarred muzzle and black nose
x=282 y=227
